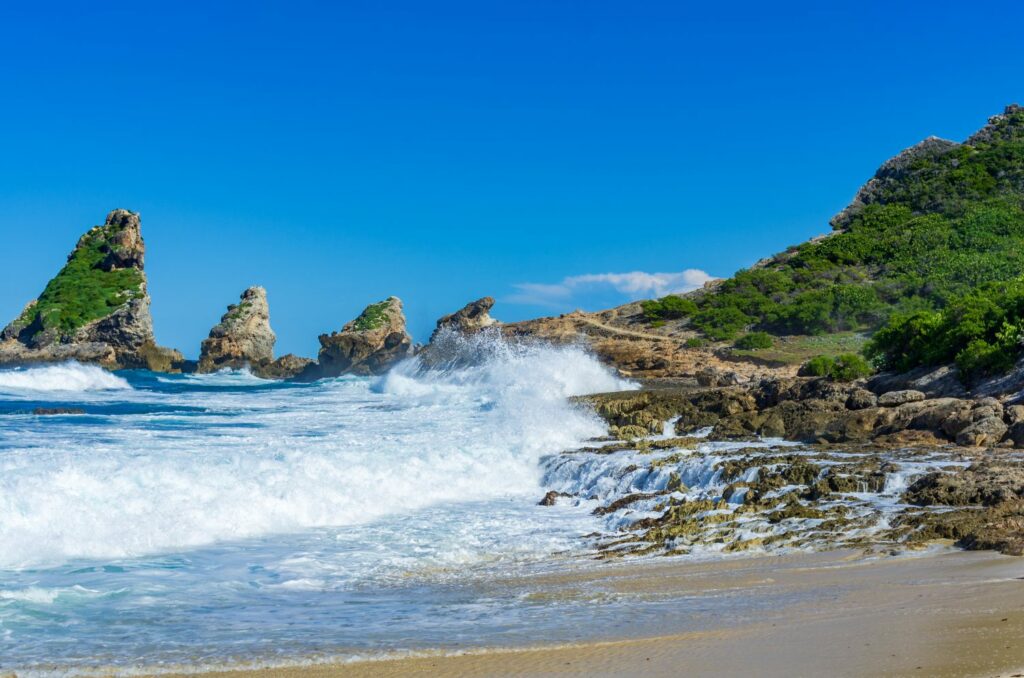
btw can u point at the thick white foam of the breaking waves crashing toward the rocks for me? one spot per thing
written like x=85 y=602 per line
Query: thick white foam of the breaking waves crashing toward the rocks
x=291 y=459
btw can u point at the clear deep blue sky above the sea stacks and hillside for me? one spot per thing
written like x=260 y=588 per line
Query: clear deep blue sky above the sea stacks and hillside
x=339 y=153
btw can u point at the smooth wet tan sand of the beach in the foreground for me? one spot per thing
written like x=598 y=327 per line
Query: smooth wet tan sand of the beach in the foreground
x=952 y=614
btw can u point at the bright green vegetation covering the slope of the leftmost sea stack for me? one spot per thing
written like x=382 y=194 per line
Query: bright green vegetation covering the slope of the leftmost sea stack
x=84 y=291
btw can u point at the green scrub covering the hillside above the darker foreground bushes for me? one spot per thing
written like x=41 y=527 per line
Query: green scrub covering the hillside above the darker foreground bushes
x=935 y=224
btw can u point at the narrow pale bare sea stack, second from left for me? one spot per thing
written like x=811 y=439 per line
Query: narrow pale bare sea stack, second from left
x=243 y=337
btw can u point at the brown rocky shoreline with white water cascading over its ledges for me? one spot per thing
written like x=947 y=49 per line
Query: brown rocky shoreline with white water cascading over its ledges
x=786 y=463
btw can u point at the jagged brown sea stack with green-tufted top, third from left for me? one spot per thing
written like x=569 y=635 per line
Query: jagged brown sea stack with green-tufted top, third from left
x=368 y=346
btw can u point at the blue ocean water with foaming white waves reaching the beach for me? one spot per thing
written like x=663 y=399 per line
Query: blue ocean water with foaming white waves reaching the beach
x=207 y=520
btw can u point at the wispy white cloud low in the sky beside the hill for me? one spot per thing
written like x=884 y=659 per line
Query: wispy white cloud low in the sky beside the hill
x=634 y=285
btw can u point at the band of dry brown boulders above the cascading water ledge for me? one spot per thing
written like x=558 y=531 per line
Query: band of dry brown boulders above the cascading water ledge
x=814 y=411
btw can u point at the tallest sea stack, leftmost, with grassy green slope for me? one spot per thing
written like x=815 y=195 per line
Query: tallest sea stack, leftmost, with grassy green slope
x=97 y=310
